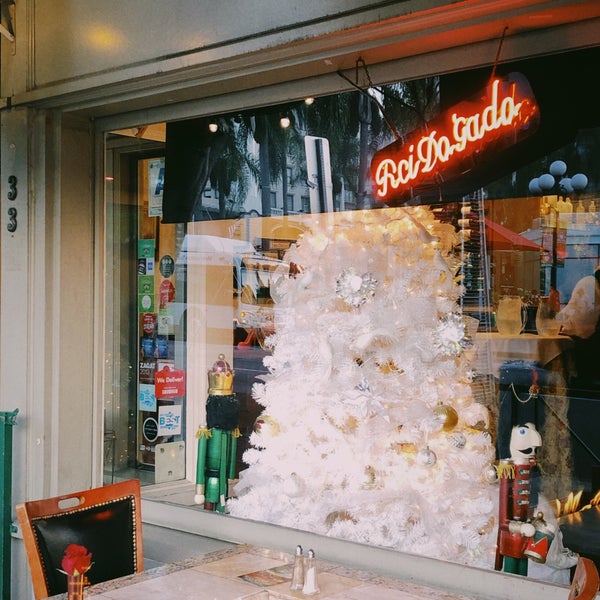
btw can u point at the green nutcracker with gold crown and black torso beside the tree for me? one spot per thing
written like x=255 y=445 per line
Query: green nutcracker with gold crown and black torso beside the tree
x=217 y=439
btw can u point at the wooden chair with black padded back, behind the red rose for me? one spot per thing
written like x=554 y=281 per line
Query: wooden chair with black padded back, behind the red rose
x=106 y=520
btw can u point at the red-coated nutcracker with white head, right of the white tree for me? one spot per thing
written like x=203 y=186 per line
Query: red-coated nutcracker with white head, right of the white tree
x=515 y=527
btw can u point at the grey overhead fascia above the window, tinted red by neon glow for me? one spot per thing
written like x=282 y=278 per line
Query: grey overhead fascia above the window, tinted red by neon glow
x=114 y=56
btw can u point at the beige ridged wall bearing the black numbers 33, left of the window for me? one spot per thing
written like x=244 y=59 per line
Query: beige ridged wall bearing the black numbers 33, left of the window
x=47 y=324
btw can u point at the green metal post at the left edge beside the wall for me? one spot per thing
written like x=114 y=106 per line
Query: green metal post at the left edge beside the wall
x=7 y=420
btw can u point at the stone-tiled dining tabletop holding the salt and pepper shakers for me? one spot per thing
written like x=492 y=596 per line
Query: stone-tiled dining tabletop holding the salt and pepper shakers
x=247 y=572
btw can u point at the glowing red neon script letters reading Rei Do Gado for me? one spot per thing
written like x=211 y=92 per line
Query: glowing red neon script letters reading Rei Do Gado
x=435 y=148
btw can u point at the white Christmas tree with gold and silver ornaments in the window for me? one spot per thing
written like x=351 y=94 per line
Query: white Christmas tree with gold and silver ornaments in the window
x=370 y=431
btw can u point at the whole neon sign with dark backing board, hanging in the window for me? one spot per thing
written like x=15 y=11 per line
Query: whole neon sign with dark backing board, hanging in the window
x=457 y=141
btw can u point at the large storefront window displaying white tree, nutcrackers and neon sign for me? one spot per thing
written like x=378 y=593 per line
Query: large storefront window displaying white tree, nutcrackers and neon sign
x=306 y=350
